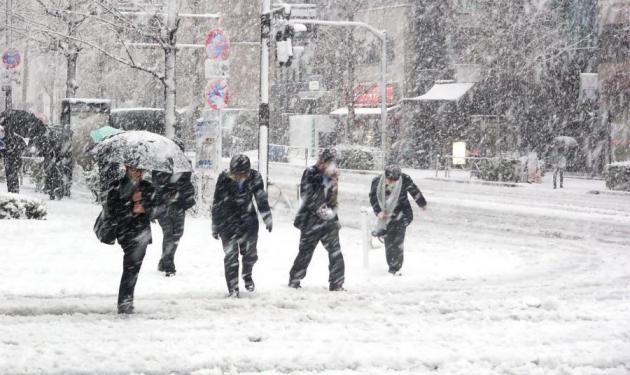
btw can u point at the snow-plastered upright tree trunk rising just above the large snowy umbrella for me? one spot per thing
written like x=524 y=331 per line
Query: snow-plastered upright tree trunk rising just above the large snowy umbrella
x=170 y=76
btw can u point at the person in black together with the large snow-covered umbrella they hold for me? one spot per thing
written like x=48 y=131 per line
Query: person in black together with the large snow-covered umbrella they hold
x=131 y=200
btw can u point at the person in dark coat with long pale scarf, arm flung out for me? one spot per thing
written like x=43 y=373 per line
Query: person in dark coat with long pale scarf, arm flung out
x=388 y=196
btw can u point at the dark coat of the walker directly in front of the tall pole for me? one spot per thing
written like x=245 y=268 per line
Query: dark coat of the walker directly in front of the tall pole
x=233 y=208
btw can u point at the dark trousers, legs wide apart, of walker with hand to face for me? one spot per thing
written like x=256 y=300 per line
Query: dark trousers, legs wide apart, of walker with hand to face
x=329 y=237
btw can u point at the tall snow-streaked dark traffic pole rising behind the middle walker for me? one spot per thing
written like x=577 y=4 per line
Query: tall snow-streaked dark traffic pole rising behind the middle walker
x=263 y=112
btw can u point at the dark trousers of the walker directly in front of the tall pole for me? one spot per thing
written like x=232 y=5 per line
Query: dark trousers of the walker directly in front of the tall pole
x=243 y=242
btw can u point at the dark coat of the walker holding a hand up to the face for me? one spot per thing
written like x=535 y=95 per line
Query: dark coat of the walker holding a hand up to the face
x=315 y=193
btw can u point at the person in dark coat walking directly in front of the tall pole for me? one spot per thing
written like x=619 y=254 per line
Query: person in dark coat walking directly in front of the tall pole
x=235 y=221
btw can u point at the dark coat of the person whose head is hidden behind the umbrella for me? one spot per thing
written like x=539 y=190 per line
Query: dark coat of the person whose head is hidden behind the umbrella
x=171 y=193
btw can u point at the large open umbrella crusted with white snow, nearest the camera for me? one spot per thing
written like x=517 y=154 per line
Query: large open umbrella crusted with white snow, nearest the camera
x=143 y=150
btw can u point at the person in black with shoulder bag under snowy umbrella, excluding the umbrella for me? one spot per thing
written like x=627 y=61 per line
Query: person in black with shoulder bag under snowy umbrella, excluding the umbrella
x=129 y=206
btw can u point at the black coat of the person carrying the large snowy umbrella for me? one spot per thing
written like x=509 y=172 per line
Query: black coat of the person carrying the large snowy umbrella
x=119 y=210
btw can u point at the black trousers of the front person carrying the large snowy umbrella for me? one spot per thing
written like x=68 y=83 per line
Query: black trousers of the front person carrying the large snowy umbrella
x=132 y=261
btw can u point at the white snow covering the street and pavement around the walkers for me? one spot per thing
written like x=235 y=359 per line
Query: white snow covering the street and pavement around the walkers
x=497 y=280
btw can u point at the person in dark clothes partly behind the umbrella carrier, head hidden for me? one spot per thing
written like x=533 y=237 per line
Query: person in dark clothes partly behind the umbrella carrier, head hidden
x=175 y=194
